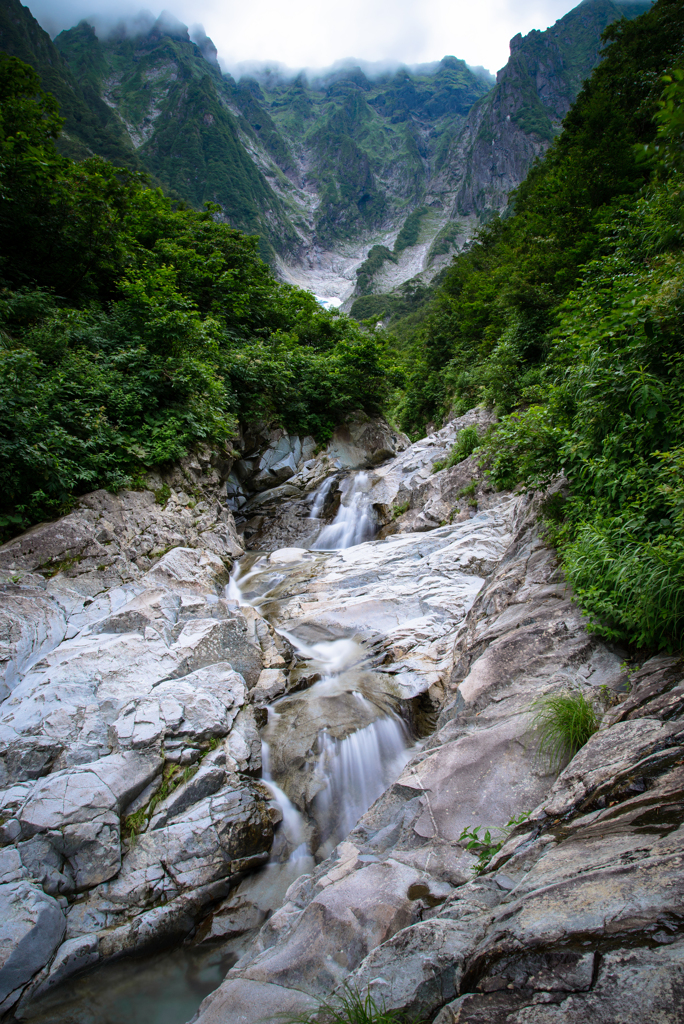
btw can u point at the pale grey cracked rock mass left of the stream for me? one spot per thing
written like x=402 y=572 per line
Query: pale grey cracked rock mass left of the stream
x=122 y=676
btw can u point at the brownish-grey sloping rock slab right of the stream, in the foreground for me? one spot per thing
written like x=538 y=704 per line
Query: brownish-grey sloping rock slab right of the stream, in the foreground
x=580 y=913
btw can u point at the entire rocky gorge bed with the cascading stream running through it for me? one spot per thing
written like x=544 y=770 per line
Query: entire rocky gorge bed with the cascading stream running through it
x=269 y=769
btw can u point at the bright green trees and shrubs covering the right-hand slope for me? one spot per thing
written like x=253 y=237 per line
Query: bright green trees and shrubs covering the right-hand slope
x=569 y=319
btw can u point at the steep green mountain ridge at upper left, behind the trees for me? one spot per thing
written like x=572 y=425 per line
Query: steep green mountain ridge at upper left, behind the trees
x=175 y=104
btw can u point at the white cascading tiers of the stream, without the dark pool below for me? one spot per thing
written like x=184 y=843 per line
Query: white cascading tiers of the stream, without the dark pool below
x=348 y=775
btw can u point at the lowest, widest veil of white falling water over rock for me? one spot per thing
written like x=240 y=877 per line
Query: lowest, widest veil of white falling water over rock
x=359 y=770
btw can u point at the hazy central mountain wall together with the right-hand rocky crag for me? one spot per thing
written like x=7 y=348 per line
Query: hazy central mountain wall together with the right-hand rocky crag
x=394 y=172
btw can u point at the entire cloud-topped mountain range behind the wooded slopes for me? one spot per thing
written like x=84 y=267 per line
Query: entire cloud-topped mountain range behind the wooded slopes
x=356 y=179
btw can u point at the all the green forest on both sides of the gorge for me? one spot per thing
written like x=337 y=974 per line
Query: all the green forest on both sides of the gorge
x=134 y=328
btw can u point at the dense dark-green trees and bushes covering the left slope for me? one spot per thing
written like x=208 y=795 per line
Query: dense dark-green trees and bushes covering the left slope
x=133 y=329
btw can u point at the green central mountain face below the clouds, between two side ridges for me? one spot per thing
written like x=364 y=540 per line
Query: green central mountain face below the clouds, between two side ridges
x=362 y=135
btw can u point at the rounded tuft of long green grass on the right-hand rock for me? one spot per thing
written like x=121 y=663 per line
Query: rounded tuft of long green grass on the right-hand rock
x=566 y=721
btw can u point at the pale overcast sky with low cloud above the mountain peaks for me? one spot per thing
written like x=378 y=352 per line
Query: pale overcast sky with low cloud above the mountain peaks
x=316 y=33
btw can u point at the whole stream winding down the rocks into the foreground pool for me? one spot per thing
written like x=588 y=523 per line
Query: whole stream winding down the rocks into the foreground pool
x=330 y=748
